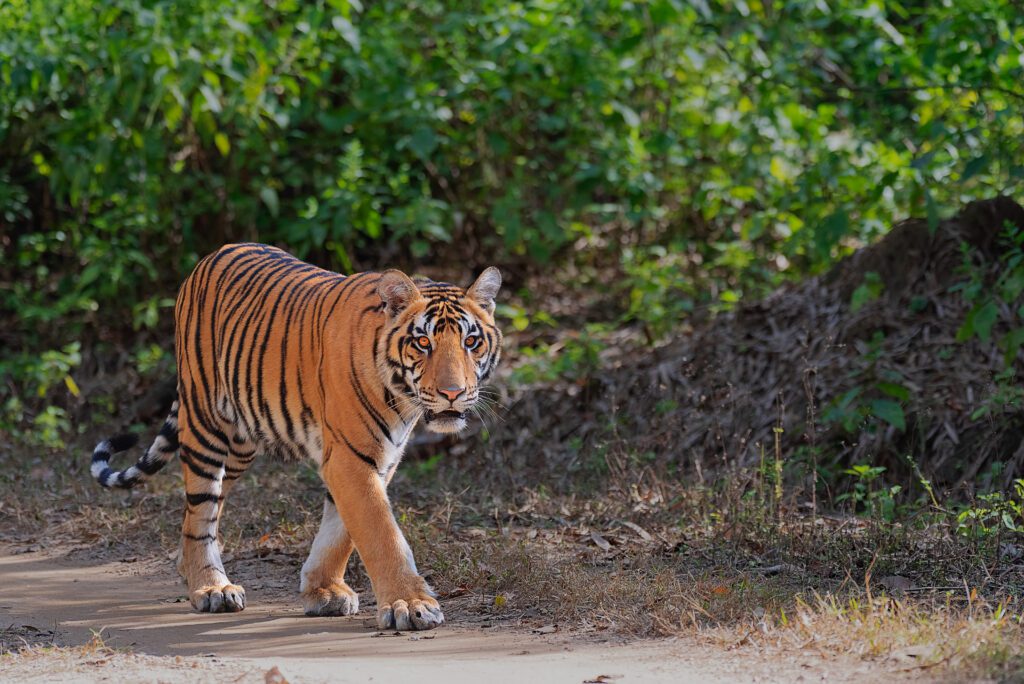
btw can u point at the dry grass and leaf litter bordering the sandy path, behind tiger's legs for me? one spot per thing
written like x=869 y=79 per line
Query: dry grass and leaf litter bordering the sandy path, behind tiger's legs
x=646 y=560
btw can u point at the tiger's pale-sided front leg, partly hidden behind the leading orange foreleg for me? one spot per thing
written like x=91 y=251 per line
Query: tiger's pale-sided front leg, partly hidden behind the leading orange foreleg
x=324 y=589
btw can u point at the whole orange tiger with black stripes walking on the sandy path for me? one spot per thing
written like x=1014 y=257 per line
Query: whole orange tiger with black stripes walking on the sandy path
x=278 y=356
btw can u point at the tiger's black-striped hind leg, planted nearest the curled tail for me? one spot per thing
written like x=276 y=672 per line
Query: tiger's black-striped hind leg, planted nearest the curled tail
x=204 y=456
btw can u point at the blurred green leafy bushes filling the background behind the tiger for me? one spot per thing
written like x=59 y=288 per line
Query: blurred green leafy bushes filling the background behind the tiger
x=655 y=162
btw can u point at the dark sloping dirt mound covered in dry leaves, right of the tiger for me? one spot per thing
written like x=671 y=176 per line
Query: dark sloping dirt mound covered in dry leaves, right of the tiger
x=874 y=382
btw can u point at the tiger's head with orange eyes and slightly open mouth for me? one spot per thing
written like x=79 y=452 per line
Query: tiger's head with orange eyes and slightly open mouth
x=441 y=345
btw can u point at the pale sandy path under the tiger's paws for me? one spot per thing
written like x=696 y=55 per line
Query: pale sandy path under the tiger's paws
x=138 y=607
